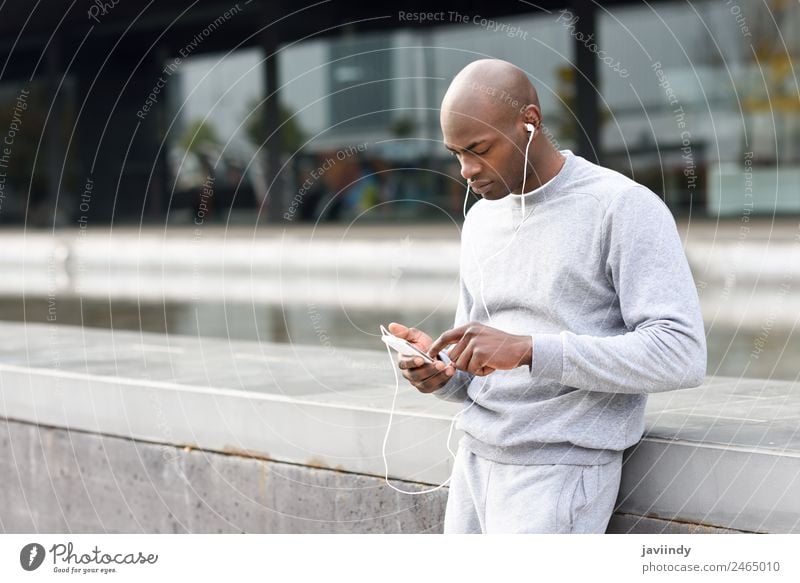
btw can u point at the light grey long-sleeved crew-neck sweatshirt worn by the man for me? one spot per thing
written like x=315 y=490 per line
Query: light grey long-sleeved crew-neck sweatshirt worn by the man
x=597 y=276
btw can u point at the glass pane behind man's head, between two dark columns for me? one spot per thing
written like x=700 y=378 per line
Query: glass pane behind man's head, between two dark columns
x=379 y=95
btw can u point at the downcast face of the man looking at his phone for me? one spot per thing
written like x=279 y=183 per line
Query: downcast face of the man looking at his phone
x=488 y=154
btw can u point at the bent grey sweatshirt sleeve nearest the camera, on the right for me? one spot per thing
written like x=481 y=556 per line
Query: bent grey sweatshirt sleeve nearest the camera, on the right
x=665 y=346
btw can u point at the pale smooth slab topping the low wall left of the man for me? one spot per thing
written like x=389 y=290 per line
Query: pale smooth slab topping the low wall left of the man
x=290 y=403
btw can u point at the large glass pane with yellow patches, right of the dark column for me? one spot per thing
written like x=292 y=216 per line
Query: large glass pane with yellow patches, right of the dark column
x=708 y=116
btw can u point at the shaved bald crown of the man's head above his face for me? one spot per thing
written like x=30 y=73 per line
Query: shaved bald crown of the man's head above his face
x=488 y=91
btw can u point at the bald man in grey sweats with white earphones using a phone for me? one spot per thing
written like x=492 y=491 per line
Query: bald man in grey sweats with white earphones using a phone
x=571 y=311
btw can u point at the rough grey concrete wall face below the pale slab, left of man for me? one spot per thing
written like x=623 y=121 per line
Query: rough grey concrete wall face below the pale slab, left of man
x=65 y=481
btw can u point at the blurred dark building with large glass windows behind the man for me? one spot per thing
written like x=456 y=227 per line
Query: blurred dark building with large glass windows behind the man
x=121 y=112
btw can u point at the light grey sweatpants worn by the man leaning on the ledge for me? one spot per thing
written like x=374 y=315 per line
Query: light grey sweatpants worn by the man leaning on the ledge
x=490 y=497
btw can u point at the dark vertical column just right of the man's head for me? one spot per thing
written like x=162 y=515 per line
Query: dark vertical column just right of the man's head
x=586 y=87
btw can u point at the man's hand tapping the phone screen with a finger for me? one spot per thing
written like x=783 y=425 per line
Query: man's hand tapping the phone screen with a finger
x=481 y=350
